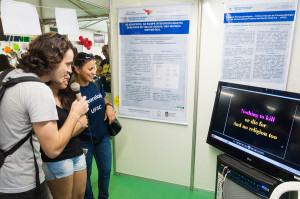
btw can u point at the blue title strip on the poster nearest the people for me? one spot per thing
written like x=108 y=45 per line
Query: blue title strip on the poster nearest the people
x=154 y=27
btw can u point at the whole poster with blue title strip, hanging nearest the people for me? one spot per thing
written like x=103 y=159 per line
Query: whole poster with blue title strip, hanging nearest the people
x=153 y=49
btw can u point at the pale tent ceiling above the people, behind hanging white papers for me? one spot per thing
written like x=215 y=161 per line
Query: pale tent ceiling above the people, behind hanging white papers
x=91 y=14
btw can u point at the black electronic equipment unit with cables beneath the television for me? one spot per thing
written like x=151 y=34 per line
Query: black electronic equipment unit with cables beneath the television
x=238 y=180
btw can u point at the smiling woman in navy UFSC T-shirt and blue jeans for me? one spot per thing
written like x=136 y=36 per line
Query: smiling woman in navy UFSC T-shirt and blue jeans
x=96 y=138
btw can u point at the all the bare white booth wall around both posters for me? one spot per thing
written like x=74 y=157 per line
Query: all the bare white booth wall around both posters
x=163 y=151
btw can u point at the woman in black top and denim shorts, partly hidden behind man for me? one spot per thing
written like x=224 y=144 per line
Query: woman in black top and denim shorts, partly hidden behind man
x=66 y=174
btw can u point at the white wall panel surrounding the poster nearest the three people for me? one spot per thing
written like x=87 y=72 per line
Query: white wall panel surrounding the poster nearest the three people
x=156 y=150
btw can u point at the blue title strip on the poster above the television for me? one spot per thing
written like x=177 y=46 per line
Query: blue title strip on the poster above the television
x=252 y=17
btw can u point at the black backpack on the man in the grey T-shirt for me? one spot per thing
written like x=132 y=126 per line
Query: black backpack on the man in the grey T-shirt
x=3 y=154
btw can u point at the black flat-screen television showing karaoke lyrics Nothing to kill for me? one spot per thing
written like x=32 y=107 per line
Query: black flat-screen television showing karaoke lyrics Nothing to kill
x=258 y=126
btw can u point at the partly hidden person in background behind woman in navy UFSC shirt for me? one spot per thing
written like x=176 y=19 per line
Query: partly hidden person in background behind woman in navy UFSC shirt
x=106 y=73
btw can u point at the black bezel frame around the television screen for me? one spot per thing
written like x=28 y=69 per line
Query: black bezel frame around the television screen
x=260 y=164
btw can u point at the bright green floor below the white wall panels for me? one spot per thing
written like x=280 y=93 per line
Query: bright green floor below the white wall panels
x=123 y=187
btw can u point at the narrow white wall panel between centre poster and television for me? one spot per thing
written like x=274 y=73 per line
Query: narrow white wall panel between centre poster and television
x=210 y=62
